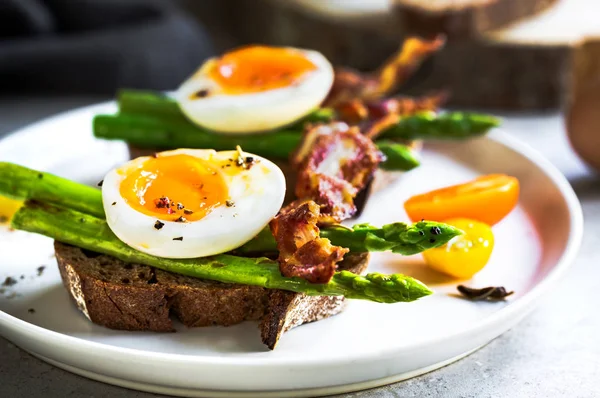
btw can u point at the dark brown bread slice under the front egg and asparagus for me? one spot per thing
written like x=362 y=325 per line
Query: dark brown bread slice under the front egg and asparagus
x=125 y=296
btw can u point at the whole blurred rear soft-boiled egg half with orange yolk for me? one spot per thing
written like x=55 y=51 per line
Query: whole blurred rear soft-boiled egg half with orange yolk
x=255 y=88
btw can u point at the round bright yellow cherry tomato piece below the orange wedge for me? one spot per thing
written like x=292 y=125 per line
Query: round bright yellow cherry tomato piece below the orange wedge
x=464 y=255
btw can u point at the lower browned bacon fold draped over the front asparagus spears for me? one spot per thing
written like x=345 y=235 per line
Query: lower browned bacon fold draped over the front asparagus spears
x=302 y=253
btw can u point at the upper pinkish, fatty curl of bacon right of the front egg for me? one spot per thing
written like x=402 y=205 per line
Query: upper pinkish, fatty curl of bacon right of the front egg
x=334 y=163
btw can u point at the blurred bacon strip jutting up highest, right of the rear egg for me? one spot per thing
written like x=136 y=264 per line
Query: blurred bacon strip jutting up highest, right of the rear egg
x=349 y=84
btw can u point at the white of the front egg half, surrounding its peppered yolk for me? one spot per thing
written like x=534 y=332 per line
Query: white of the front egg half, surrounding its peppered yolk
x=257 y=194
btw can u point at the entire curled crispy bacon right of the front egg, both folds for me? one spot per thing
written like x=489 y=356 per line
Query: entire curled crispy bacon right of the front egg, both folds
x=334 y=162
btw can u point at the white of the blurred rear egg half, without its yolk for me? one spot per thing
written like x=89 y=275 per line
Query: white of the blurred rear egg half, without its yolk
x=255 y=112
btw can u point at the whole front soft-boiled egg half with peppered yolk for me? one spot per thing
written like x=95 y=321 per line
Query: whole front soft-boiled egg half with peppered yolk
x=192 y=202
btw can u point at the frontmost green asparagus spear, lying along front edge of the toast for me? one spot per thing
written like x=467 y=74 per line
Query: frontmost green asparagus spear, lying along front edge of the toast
x=93 y=234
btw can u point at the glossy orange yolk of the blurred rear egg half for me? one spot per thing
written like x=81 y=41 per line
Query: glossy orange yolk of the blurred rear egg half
x=259 y=68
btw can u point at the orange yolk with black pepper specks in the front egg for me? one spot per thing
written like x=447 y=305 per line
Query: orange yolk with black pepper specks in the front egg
x=174 y=188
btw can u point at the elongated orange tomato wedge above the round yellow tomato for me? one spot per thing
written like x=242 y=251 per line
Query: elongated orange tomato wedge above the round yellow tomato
x=487 y=199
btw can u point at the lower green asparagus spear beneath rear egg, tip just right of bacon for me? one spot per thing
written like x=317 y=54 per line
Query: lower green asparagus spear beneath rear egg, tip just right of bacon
x=161 y=133
